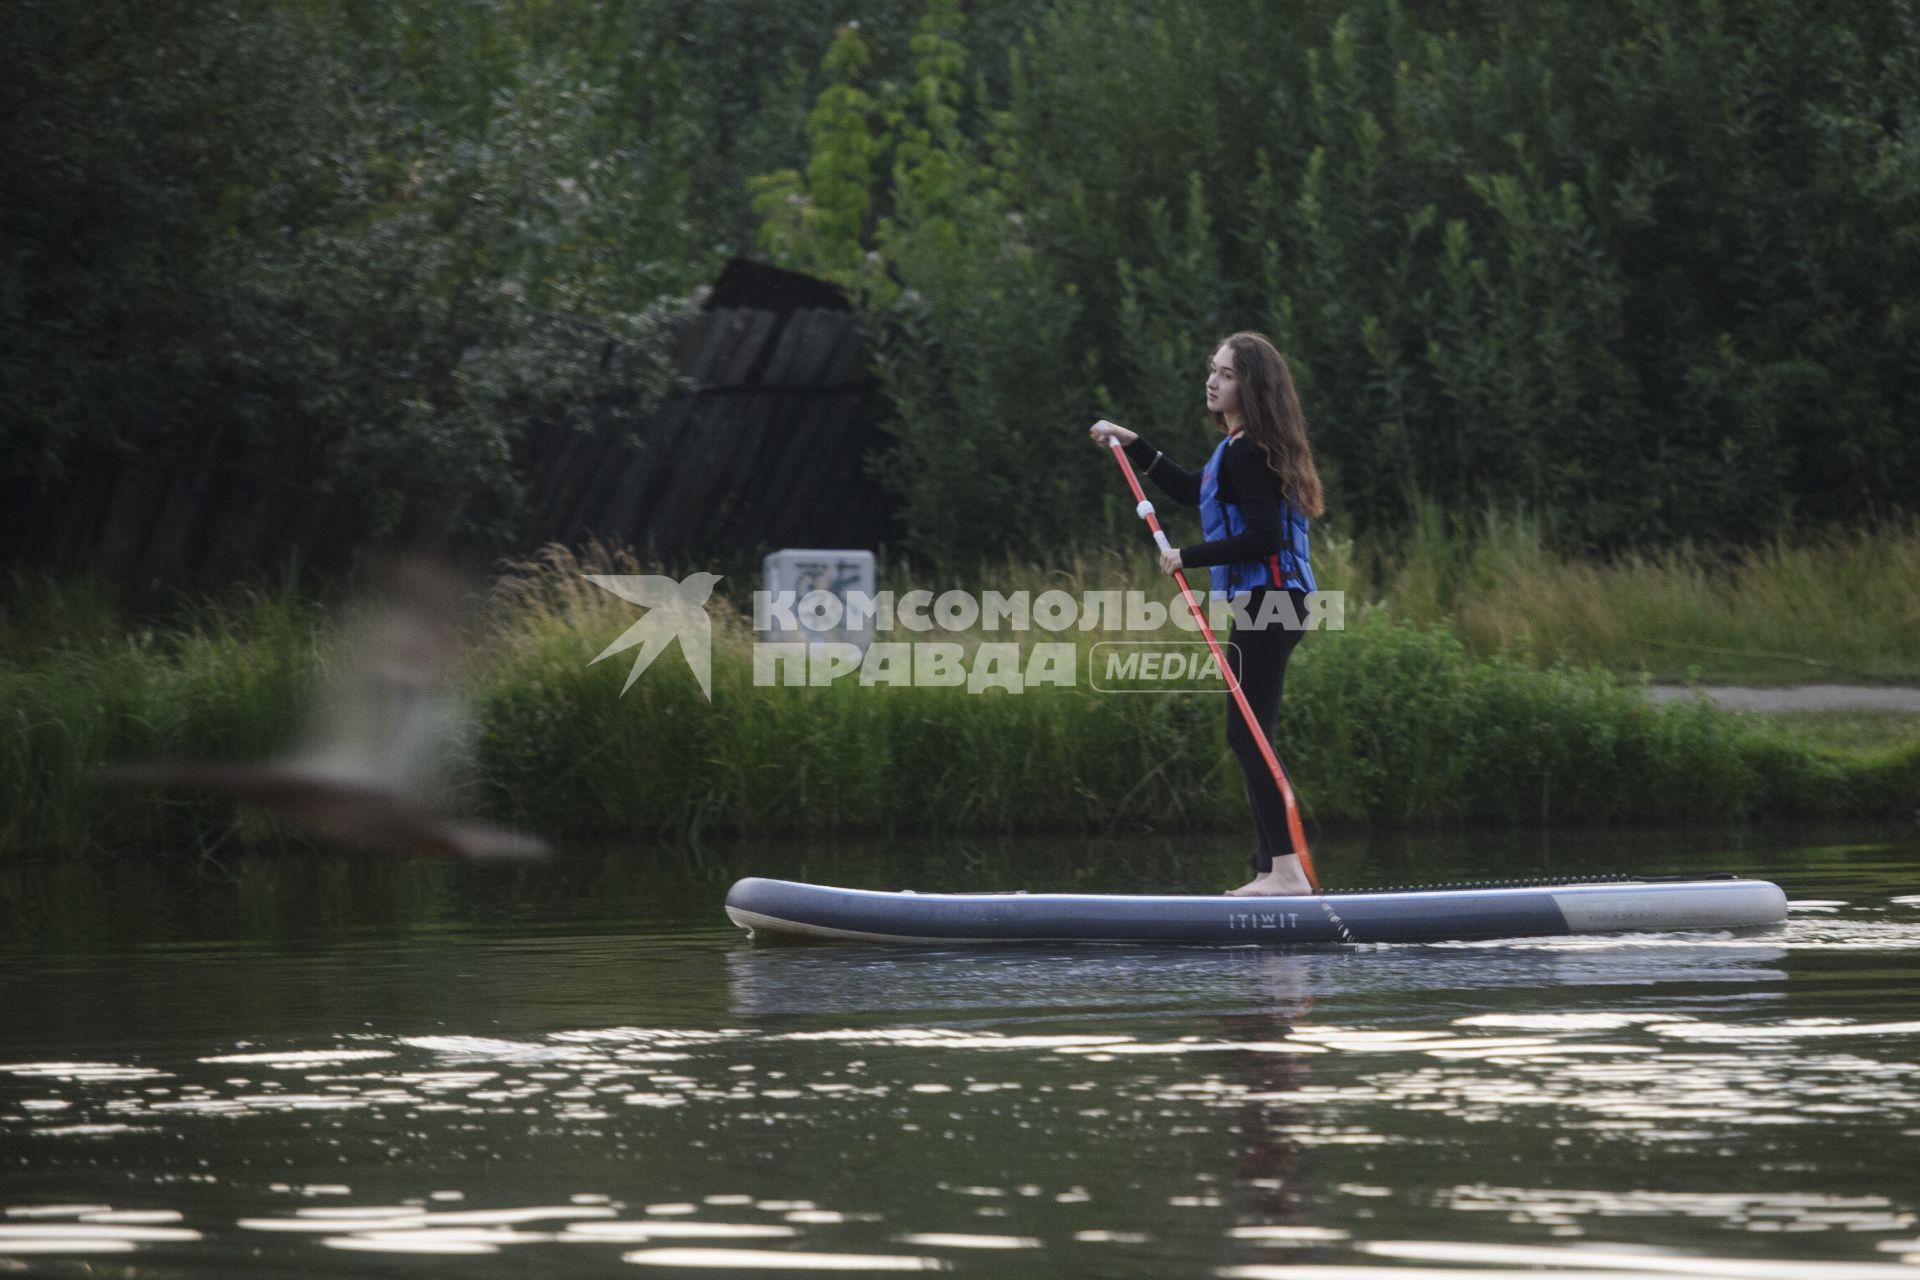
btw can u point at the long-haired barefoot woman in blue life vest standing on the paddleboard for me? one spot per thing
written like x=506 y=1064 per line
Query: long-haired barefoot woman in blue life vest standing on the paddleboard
x=1257 y=496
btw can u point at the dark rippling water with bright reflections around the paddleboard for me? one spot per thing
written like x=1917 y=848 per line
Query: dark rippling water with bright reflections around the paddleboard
x=314 y=1068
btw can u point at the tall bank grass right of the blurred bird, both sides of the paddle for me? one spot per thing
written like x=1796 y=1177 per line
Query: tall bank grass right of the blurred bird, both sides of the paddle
x=1383 y=723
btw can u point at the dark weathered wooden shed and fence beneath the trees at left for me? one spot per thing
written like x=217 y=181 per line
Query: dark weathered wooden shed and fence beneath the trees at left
x=765 y=446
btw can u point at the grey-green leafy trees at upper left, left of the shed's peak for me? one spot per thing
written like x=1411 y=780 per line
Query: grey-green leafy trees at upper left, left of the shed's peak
x=391 y=231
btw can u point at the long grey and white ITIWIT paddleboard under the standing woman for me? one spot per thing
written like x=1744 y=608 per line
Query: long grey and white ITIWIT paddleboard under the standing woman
x=1435 y=914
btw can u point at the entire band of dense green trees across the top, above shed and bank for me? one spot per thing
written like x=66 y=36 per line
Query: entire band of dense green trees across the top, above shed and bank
x=1643 y=268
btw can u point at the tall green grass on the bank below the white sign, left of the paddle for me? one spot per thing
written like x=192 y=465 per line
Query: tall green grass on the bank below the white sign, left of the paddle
x=775 y=759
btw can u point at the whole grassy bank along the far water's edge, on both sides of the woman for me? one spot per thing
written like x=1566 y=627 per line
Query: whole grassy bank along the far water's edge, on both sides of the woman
x=1385 y=723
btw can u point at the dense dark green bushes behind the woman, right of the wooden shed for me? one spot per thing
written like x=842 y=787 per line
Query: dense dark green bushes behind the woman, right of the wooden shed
x=1631 y=270
